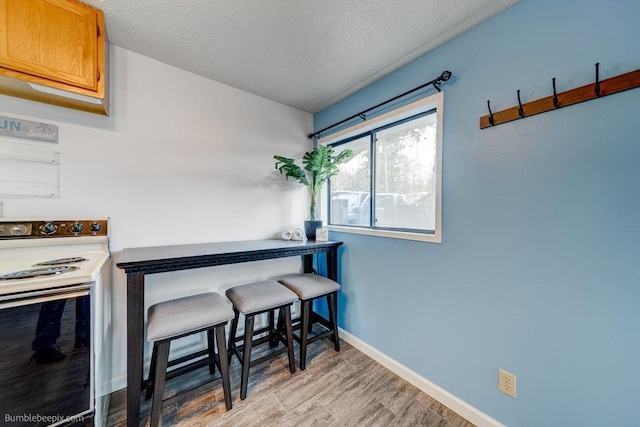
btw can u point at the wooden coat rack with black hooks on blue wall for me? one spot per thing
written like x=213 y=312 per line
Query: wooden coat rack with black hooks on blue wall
x=598 y=89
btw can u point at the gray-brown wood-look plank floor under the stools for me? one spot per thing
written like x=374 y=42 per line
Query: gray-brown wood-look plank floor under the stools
x=345 y=388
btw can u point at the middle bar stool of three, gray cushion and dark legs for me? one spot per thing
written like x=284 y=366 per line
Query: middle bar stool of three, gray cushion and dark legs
x=253 y=299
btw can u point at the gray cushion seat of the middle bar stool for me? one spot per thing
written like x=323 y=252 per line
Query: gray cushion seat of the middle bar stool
x=260 y=296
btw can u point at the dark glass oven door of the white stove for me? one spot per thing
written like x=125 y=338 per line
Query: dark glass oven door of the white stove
x=45 y=357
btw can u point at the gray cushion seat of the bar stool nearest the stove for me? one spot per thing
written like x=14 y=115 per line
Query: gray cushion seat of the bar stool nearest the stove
x=183 y=315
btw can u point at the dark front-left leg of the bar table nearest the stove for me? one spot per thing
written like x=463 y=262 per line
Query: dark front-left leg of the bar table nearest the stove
x=135 y=334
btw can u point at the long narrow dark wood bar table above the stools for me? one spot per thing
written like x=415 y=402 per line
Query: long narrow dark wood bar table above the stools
x=138 y=262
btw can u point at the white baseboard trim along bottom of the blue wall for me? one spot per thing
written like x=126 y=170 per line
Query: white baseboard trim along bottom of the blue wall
x=449 y=400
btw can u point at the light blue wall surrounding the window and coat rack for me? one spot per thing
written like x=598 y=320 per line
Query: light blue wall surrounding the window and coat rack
x=538 y=272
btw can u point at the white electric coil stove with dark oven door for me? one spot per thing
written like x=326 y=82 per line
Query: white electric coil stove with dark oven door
x=55 y=309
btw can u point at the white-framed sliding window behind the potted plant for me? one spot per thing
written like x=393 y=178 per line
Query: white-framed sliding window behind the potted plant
x=391 y=185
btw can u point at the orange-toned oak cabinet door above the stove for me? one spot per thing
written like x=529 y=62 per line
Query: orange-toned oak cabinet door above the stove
x=54 y=39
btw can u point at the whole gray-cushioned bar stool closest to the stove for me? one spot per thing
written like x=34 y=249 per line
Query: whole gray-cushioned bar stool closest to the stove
x=178 y=318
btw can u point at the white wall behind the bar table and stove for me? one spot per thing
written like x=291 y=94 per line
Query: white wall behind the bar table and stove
x=181 y=159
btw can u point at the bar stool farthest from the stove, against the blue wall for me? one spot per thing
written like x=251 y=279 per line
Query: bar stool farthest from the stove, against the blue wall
x=309 y=287
